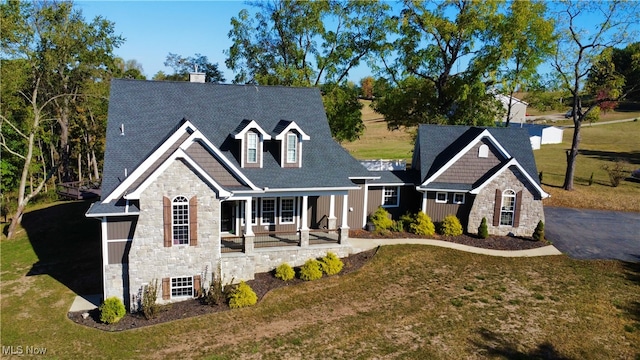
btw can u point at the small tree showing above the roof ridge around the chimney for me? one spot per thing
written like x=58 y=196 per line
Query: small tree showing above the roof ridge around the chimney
x=183 y=66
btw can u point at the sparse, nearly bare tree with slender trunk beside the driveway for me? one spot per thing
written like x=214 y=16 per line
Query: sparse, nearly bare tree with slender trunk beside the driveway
x=580 y=42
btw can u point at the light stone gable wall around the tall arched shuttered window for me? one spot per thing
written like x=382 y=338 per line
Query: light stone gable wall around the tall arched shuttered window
x=148 y=258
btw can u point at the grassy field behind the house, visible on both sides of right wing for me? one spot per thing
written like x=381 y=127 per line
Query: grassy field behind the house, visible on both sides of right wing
x=600 y=145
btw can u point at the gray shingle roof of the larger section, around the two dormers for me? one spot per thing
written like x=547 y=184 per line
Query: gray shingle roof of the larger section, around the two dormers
x=152 y=110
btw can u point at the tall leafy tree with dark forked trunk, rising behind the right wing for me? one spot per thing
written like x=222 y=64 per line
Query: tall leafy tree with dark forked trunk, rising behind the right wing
x=434 y=39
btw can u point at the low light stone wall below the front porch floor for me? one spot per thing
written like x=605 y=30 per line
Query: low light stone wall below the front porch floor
x=241 y=266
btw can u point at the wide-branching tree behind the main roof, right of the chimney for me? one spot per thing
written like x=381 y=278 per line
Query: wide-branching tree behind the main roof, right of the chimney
x=307 y=43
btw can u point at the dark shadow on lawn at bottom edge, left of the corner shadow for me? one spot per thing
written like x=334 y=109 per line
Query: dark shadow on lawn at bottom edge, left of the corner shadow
x=495 y=345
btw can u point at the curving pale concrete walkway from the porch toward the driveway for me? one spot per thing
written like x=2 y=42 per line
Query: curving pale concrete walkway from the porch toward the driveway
x=360 y=245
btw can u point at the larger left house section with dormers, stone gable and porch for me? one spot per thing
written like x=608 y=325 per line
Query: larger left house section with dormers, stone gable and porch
x=203 y=179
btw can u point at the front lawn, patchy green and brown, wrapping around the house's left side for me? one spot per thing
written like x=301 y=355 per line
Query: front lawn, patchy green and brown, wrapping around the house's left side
x=409 y=302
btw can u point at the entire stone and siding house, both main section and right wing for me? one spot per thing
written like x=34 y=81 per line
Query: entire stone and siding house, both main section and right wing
x=204 y=180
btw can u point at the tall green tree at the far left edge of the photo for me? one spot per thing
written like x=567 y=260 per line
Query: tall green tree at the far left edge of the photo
x=61 y=53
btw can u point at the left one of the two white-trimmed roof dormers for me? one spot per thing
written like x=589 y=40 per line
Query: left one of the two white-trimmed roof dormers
x=252 y=138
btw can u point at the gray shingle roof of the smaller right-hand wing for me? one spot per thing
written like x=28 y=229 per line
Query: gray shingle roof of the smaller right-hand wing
x=438 y=144
